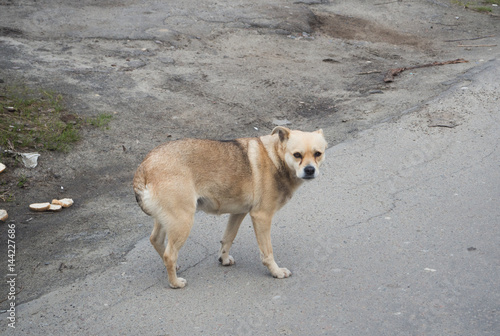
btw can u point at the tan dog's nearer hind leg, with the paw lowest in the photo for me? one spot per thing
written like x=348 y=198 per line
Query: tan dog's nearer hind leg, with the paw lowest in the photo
x=177 y=231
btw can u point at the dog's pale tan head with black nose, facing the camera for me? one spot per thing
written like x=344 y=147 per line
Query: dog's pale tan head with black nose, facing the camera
x=303 y=151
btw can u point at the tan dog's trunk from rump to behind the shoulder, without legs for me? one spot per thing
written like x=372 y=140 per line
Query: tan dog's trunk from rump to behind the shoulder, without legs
x=217 y=172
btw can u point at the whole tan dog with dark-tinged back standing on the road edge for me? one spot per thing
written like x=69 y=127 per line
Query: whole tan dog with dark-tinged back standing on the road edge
x=248 y=175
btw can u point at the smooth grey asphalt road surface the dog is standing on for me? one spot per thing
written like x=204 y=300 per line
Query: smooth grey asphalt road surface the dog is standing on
x=398 y=236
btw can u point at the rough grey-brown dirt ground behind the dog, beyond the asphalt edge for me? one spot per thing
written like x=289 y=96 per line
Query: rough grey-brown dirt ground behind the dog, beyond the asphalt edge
x=206 y=69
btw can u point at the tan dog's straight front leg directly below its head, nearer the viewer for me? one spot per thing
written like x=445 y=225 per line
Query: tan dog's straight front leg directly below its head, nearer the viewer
x=262 y=226
